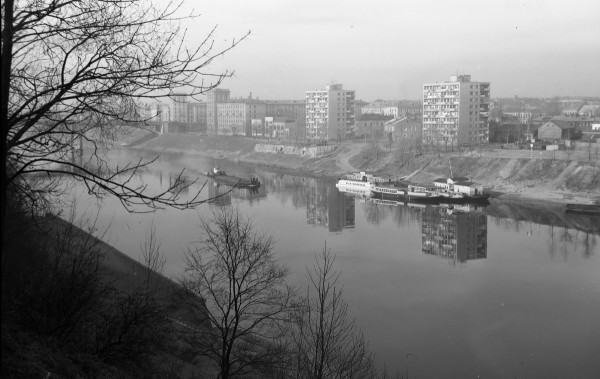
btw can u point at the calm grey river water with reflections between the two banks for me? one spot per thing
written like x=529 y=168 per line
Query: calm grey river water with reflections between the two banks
x=496 y=292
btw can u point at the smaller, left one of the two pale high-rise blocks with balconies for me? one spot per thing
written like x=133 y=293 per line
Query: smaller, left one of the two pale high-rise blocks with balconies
x=329 y=113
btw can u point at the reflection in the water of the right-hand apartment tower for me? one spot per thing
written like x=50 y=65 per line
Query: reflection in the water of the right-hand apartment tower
x=457 y=235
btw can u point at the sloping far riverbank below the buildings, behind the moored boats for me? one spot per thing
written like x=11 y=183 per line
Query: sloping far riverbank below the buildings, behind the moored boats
x=503 y=172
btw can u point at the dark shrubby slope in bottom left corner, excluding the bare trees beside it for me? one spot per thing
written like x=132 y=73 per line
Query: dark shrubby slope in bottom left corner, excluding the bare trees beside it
x=71 y=308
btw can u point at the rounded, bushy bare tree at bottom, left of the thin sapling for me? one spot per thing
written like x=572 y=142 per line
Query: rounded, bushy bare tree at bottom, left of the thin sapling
x=245 y=292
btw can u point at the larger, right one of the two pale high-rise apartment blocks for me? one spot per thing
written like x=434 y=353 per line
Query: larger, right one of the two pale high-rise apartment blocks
x=456 y=112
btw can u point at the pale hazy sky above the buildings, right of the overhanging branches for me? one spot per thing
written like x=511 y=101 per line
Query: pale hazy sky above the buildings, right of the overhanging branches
x=388 y=49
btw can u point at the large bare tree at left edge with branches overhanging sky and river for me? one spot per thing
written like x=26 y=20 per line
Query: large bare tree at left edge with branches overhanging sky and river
x=73 y=72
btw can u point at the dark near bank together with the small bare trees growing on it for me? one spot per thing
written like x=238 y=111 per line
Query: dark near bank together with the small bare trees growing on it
x=73 y=307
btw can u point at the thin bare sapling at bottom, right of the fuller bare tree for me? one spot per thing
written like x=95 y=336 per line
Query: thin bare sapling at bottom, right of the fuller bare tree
x=328 y=342
